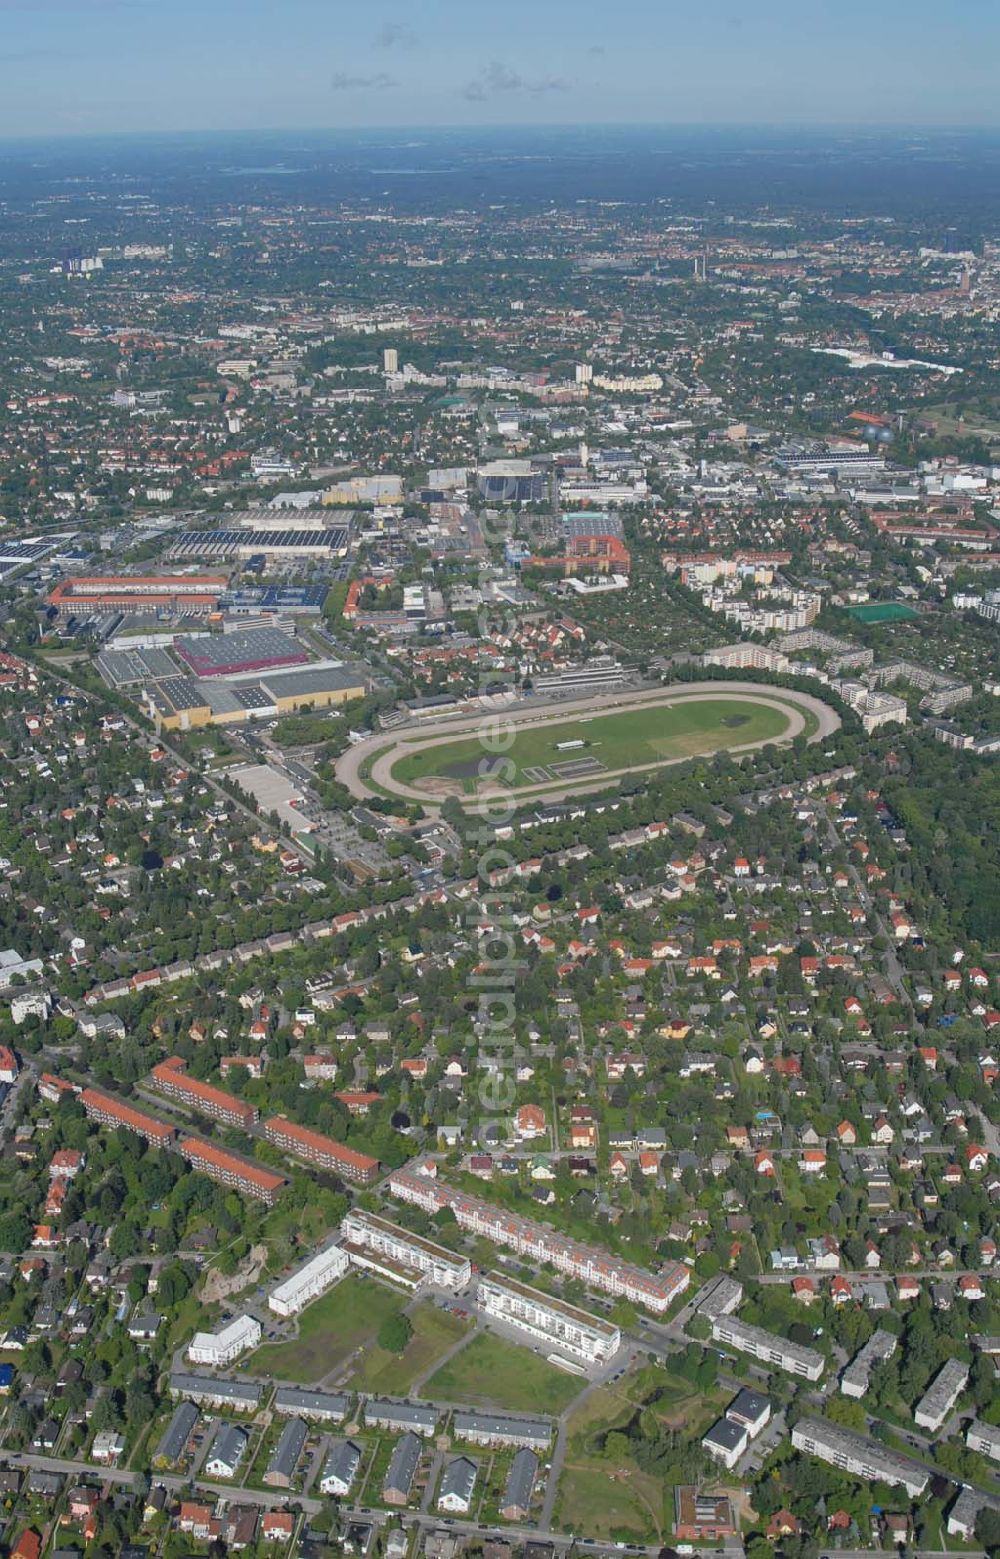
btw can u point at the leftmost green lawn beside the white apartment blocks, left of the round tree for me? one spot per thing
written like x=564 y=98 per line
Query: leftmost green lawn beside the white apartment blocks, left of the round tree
x=330 y=1331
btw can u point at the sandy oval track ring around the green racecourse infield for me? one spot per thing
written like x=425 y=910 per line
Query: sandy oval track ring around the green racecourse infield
x=530 y=713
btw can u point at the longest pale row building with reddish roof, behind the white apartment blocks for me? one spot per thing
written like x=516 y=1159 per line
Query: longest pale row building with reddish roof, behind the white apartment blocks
x=528 y=1239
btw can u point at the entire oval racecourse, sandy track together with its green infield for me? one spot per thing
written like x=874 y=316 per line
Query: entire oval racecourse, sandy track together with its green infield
x=566 y=749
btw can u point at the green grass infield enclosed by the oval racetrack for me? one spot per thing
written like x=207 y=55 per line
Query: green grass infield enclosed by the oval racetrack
x=628 y=740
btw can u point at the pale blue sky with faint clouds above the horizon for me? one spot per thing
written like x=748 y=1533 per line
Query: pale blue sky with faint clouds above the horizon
x=127 y=66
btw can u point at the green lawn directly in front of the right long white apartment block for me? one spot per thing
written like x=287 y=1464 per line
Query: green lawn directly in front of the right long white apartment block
x=497 y=1374
